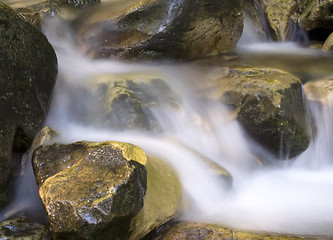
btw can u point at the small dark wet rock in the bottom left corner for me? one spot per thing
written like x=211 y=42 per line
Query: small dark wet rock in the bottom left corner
x=22 y=228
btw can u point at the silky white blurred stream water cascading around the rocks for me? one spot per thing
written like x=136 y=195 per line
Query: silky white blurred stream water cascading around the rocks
x=293 y=198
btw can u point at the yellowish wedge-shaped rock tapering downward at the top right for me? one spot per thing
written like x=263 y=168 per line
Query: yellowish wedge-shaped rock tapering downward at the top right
x=278 y=14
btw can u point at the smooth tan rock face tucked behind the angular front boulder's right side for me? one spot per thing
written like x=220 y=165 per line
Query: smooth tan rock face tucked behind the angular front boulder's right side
x=162 y=201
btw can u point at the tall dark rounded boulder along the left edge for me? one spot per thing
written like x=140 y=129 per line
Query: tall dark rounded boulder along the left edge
x=28 y=71
